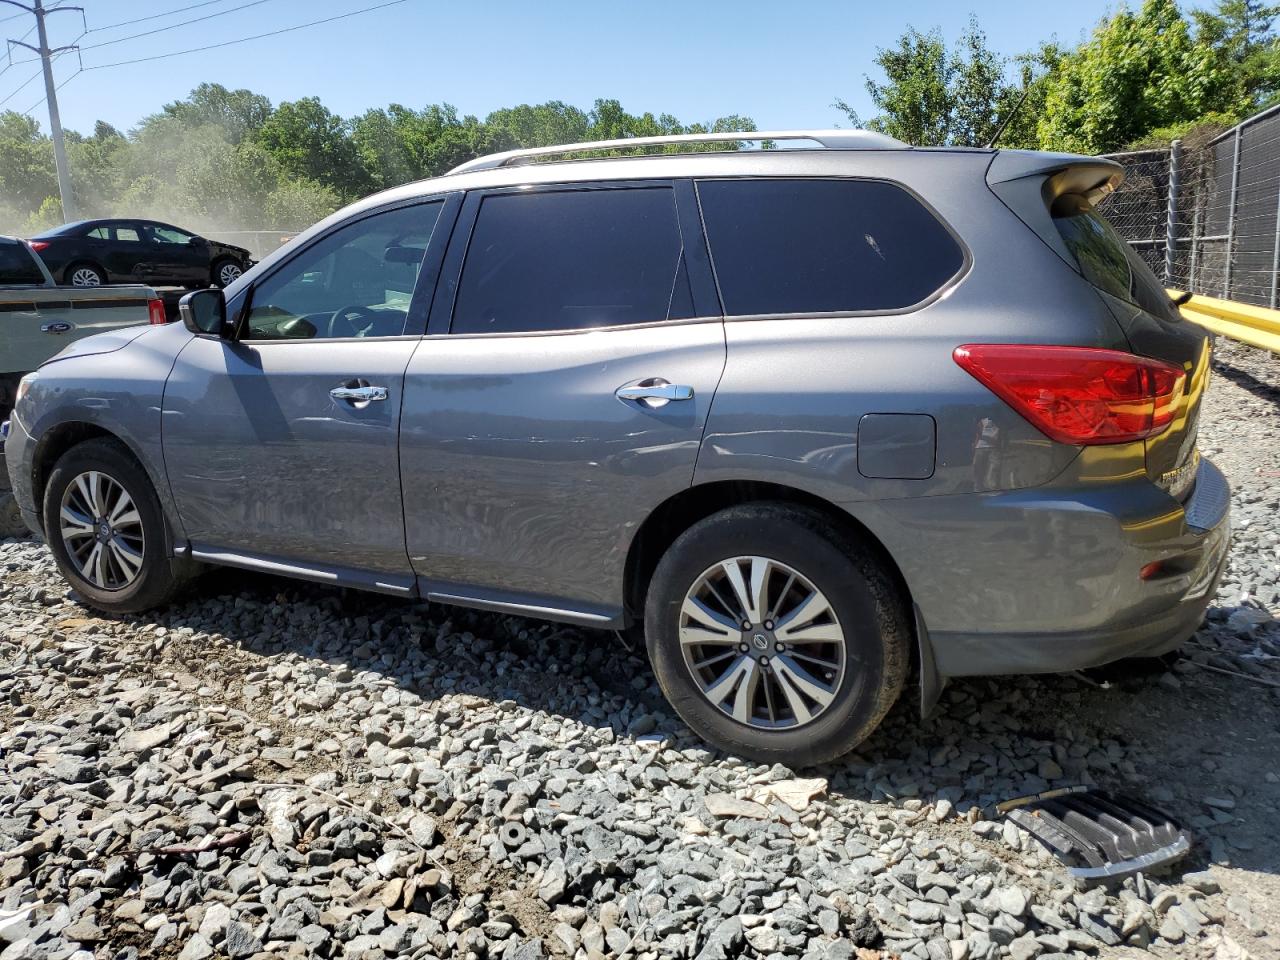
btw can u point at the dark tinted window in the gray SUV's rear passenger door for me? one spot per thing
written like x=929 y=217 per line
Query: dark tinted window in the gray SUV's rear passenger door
x=574 y=260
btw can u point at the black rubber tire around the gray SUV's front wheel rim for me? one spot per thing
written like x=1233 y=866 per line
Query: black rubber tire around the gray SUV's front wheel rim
x=161 y=575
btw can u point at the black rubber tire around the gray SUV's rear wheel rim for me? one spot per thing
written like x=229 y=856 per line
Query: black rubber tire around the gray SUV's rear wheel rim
x=870 y=609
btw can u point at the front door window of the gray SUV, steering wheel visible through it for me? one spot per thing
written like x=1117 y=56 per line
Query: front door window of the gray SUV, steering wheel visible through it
x=356 y=282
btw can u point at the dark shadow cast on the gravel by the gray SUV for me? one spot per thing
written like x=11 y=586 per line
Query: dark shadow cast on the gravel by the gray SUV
x=1201 y=746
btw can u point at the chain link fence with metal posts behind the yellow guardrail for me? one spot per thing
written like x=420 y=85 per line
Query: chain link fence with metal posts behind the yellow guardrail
x=1208 y=217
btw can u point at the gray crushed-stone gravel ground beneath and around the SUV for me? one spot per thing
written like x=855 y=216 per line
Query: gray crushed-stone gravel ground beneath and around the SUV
x=280 y=770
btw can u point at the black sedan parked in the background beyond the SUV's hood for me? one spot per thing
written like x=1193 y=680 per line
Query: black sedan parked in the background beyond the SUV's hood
x=93 y=253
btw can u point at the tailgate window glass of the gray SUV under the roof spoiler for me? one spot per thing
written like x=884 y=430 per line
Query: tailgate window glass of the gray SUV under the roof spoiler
x=1105 y=259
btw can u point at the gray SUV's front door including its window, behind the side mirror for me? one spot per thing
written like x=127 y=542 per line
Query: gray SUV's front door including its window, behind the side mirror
x=282 y=446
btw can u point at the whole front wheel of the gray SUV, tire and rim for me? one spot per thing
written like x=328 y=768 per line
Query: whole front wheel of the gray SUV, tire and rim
x=107 y=532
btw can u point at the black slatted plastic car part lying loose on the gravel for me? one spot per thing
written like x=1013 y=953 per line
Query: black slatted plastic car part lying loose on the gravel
x=1100 y=836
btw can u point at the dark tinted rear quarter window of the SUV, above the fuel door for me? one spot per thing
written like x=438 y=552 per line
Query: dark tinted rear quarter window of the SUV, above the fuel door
x=824 y=246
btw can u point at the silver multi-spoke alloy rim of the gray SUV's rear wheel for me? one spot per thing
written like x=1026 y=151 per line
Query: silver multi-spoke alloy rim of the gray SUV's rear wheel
x=762 y=643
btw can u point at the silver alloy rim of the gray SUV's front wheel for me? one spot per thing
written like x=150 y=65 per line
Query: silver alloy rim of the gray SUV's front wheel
x=102 y=531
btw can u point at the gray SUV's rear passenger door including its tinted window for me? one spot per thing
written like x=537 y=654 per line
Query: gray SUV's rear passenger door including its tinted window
x=574 y=351
